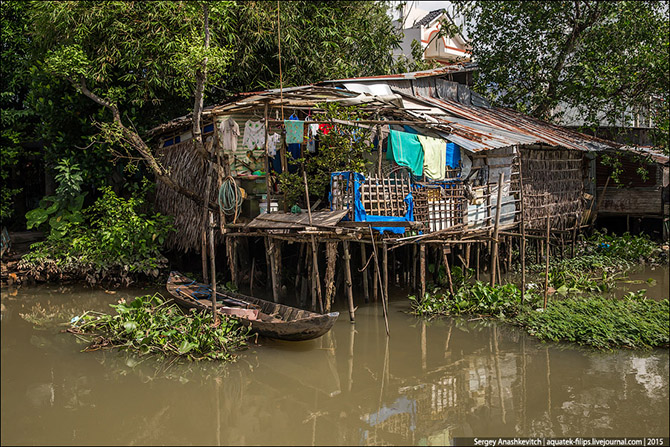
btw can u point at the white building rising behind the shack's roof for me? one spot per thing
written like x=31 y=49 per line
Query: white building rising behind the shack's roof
x=424 y=26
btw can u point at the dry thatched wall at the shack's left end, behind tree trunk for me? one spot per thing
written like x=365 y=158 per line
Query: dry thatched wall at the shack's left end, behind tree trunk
x=187 y=169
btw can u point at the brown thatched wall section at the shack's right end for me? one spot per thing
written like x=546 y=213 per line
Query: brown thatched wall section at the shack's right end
x=553 y=181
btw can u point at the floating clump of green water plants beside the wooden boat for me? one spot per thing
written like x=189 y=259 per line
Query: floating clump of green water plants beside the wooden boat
x=152 y=325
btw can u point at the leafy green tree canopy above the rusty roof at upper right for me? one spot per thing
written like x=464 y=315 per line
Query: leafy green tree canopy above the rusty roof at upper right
x=598 y=59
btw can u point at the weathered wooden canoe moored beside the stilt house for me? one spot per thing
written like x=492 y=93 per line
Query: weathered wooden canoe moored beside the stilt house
x=272 y=320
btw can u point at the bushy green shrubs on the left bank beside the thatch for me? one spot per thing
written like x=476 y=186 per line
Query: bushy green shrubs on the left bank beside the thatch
x=114 y=242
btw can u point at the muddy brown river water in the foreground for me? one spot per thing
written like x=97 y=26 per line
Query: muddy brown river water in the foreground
x=429 y=382
